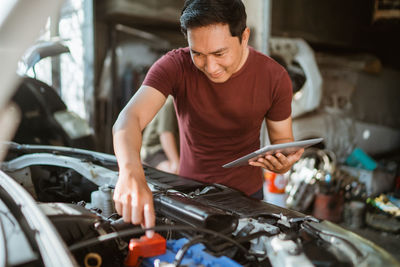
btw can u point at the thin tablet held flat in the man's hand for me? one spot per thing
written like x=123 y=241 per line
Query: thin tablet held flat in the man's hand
x=285 y=148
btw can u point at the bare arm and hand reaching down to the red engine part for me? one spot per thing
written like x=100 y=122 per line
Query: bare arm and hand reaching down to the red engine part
x=133 y=198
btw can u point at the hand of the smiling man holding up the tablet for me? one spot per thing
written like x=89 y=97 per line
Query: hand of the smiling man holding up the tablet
x=277 y=163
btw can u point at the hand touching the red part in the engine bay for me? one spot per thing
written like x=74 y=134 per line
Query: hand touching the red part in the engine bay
x=134 y=200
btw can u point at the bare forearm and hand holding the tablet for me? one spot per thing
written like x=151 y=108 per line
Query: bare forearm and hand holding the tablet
x=279 y=132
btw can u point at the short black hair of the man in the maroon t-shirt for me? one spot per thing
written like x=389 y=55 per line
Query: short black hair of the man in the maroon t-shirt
x=200 y=13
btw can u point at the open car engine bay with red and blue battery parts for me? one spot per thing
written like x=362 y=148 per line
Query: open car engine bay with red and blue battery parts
x=200 y=224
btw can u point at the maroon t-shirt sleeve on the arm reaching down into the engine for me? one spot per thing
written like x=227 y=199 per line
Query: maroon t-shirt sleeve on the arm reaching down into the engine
x=163 y=74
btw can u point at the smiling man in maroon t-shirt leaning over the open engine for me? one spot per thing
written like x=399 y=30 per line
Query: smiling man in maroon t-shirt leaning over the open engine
x=223 y=90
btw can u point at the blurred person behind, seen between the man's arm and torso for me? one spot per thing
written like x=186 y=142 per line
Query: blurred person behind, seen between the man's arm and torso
x=161 y=139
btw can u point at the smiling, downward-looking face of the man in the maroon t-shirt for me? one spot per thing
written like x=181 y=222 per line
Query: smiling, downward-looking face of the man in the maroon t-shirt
x=216 y=52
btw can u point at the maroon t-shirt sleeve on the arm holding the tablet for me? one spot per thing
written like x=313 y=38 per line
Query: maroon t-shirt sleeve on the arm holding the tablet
x=281 y=106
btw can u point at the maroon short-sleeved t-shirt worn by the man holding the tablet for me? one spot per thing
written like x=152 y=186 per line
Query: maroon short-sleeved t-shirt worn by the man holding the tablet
x=219 y=122
